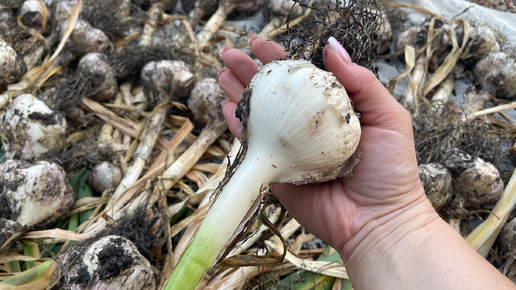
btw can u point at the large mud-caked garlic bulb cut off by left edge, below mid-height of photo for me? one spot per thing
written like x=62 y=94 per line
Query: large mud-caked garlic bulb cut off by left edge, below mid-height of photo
x=33 y=195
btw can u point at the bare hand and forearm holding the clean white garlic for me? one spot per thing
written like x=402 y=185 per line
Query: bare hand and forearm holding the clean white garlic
x=379 y=220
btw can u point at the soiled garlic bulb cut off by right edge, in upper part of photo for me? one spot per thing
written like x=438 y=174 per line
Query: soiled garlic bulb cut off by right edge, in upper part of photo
x=497 y=73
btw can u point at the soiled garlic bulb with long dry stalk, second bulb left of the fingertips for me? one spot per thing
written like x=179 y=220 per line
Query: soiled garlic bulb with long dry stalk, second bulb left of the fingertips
x=163 y=78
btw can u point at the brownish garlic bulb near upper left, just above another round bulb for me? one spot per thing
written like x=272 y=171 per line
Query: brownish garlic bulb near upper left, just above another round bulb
x=86 y=39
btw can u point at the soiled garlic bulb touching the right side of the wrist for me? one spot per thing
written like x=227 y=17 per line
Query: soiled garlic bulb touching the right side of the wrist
x=437 y=182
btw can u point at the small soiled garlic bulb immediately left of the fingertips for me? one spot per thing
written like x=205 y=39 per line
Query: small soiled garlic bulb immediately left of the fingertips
x=204 y=102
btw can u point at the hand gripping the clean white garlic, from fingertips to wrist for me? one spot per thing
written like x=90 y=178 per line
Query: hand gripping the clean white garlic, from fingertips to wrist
x=385 y=182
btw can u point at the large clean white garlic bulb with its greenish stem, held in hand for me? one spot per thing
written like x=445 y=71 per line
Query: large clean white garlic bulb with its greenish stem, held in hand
x=298 y=126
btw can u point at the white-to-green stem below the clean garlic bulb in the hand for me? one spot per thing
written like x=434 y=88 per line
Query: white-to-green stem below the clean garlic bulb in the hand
x=211 y=237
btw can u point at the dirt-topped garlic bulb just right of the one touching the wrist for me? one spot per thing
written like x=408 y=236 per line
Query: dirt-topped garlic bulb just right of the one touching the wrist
x=475 y=181
